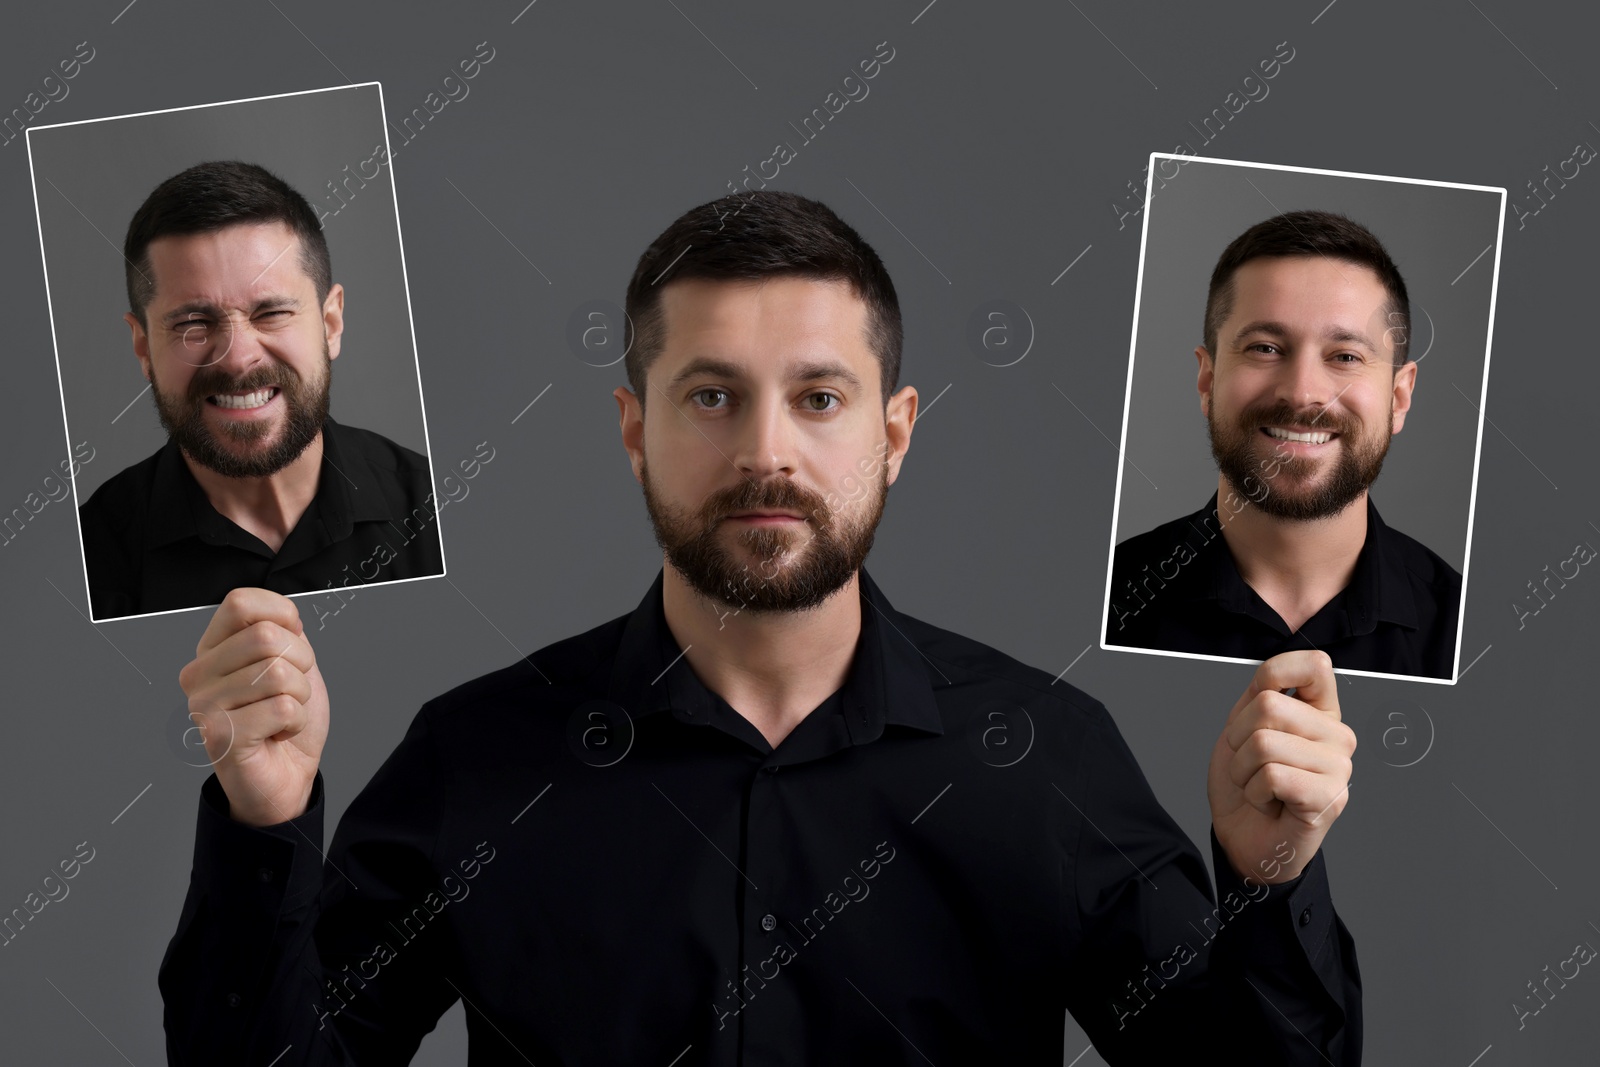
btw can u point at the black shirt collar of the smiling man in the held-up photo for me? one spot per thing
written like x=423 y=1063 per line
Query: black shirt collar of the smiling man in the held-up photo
x=1380 y=588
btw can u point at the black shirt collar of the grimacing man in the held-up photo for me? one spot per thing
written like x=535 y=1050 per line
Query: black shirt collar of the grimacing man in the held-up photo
x=348 y=492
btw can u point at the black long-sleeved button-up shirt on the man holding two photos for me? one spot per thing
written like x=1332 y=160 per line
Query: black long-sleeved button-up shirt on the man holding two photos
x=612 y=866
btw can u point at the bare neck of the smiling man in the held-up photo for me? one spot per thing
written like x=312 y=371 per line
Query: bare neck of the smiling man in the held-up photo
x=1297 y=567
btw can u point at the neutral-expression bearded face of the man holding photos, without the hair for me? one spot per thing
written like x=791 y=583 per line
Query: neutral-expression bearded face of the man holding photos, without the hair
x=769 y=454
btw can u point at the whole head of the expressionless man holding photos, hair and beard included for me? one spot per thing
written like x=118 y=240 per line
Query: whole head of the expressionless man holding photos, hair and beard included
x=767 y=337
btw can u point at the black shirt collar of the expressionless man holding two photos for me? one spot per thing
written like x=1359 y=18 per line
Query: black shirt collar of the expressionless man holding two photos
x=887 y=682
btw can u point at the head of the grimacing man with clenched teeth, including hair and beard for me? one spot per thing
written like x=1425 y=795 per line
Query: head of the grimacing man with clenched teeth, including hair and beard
x=234 y=316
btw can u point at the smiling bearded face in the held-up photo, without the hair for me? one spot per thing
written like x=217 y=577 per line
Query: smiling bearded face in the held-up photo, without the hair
x=1302 y=396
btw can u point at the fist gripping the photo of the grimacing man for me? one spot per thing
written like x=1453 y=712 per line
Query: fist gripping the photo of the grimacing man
x=255 y=692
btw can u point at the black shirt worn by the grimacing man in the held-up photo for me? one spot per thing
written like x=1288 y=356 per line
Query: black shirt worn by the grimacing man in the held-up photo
x=154 y=543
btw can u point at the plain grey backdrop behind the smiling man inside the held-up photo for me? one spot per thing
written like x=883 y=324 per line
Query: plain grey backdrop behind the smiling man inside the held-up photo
x=1433 y=234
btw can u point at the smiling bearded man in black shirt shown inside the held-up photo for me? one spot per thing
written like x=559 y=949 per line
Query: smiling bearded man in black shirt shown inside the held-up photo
x=1305 y=377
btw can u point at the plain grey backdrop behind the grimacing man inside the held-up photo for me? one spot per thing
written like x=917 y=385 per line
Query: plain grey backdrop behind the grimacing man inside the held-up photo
x=92 y=178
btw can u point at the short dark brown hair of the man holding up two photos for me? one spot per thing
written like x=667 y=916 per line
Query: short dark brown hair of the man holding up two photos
x=751 y=238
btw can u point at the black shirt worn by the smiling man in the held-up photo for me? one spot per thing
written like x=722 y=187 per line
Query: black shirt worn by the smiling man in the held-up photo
x=1178 y=589
